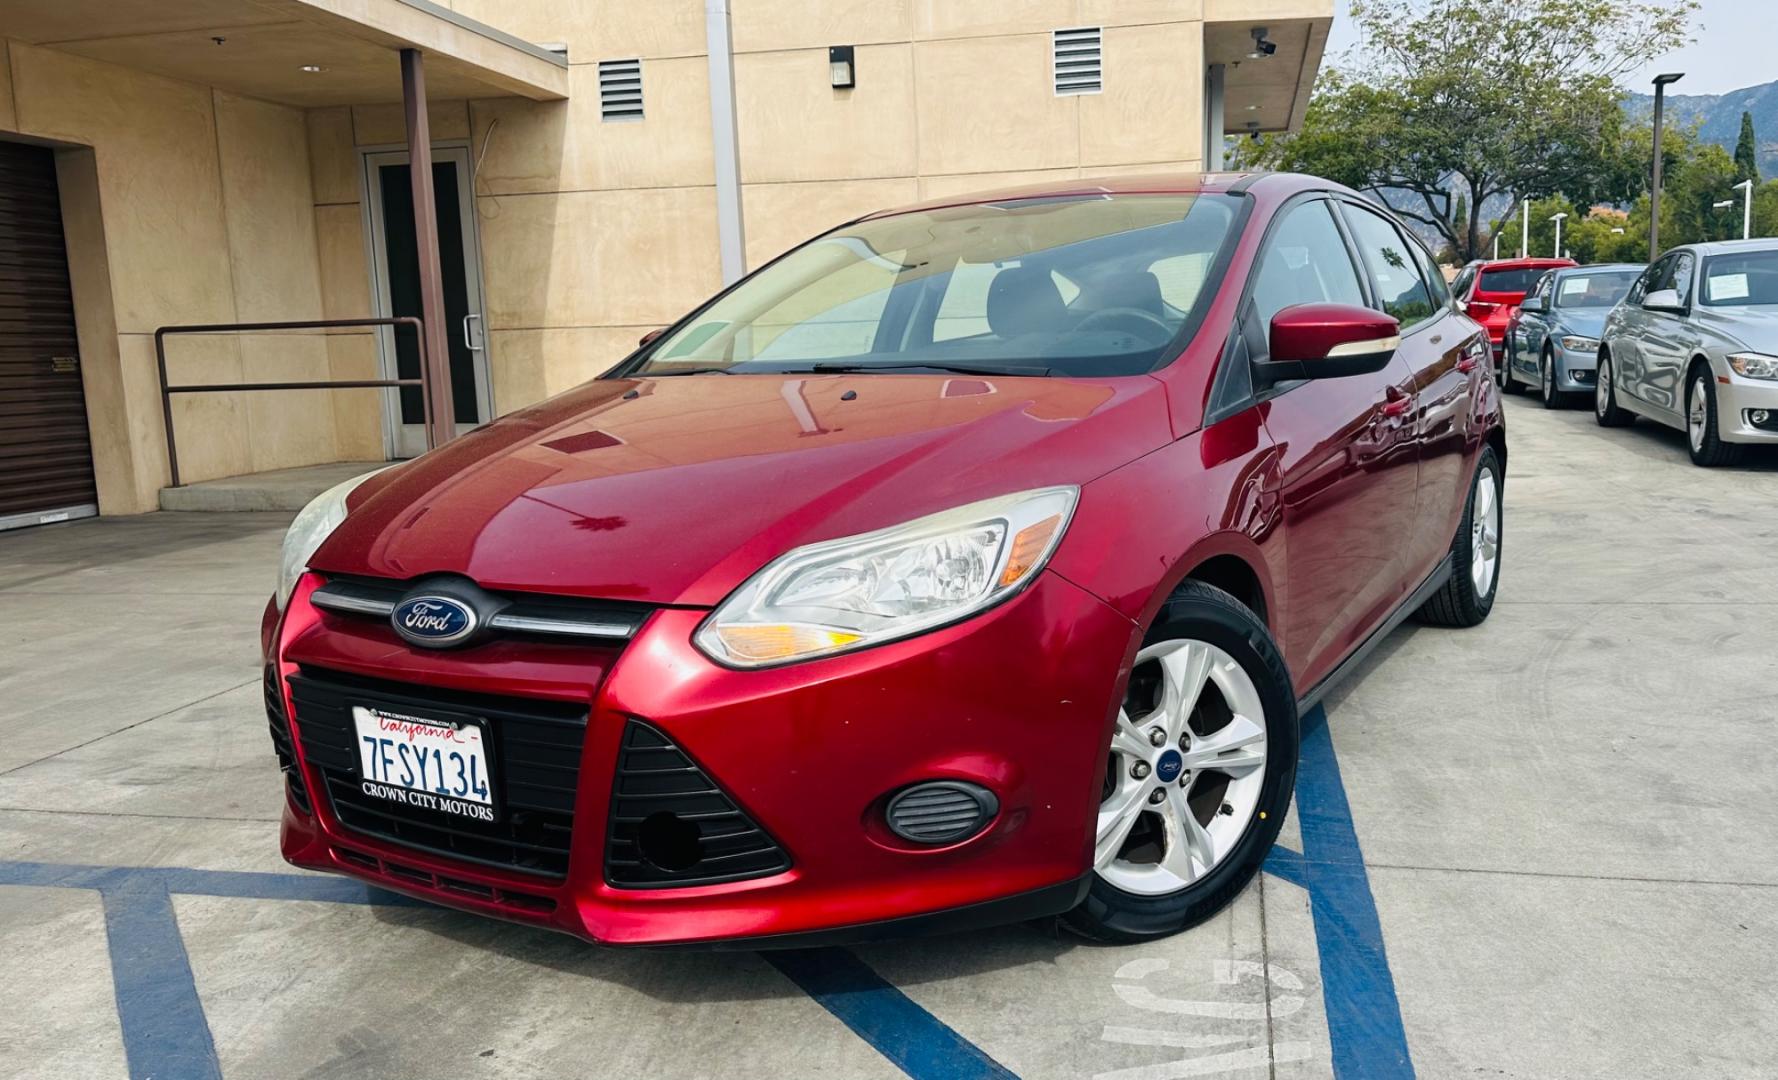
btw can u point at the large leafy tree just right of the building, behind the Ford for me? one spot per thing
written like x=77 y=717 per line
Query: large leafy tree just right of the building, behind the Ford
x=1478 y=101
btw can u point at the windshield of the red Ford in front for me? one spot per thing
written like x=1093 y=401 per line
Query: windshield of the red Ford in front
x=1082 y=286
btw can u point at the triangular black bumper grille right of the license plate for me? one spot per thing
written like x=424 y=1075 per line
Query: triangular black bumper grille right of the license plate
x=673 y=826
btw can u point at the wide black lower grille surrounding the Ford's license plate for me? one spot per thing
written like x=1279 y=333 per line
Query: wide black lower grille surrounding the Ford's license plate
x=536 y=762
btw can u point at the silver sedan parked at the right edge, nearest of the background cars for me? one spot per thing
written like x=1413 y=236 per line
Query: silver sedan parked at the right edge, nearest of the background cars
x=1695 y=346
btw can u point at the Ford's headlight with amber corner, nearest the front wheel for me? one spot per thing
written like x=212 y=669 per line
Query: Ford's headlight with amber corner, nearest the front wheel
x=867 y=590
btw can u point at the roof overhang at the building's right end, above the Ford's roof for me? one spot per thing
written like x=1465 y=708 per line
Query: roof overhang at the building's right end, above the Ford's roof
x=1272 y=93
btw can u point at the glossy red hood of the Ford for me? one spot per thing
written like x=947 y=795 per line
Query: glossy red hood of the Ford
x=677 y=490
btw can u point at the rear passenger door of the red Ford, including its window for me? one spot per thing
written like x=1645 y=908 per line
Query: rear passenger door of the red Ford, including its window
x=1446 y=360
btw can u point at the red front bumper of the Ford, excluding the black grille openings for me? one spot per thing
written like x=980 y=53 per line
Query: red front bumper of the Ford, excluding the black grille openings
x=1018 y=700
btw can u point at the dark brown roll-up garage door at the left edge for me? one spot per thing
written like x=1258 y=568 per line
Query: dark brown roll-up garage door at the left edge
x=45 y=455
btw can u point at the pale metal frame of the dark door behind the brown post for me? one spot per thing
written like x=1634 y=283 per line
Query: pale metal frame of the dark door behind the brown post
x=396 y=440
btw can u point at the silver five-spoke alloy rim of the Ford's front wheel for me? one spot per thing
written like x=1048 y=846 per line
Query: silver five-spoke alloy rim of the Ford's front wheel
x=1187 y=770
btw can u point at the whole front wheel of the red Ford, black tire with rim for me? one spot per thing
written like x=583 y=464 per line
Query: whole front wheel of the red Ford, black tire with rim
x=1130 y=901
